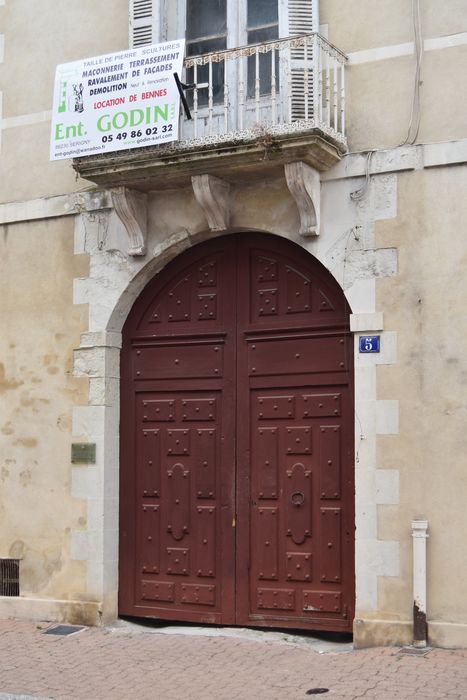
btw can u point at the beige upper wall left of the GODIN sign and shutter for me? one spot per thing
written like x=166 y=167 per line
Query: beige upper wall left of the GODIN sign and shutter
x=52 y=33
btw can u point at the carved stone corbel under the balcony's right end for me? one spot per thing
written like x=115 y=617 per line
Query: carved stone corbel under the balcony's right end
x=305 y=187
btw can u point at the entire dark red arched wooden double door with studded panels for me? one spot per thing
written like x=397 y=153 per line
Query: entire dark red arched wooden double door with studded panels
x=237 y=441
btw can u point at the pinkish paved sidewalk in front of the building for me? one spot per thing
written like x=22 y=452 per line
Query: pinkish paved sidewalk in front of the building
x=136 y=662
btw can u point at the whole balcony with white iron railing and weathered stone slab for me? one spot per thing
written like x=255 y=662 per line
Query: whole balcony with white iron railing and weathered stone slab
x=253 y=109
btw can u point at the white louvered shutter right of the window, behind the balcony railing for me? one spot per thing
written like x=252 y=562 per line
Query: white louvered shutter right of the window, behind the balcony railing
x=303 y=18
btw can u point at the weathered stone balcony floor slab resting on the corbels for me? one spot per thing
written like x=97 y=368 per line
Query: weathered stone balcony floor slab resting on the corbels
x=236 y=157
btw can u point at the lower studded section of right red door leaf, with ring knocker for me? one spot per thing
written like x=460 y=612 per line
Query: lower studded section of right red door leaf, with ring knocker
x=296 y=500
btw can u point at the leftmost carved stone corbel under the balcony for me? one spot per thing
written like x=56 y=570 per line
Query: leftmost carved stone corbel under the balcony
x=131 y=209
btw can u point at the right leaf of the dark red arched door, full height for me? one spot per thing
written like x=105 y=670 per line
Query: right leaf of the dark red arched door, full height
x=295 y=564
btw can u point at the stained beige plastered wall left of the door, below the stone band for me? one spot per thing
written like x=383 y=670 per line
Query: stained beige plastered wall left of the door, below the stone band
x=40 y=326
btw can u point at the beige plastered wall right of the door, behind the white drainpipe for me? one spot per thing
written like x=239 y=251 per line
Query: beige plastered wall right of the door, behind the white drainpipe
x=426 y=303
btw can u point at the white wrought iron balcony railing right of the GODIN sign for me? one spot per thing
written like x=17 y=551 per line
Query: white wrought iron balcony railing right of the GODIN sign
x=278 y=87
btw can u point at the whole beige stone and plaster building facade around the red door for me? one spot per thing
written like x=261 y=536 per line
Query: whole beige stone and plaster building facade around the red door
x=378 y=202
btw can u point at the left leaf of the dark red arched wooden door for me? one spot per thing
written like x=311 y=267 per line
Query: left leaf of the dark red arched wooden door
x=178 y=427
